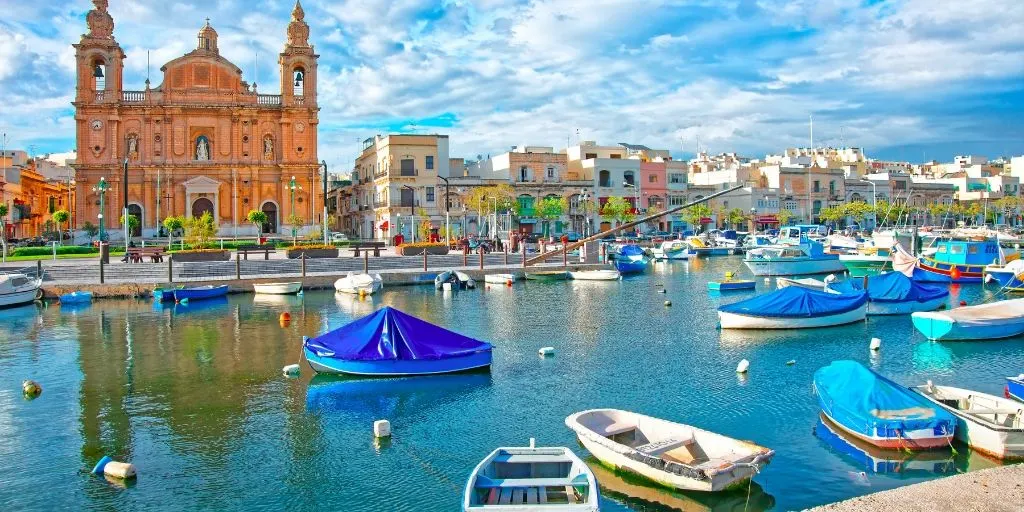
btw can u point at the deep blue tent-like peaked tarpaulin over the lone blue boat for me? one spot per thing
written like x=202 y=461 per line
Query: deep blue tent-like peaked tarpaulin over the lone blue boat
x=393 y=335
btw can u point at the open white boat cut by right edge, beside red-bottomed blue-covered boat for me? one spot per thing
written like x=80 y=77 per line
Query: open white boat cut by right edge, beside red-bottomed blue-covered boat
x=989 y=424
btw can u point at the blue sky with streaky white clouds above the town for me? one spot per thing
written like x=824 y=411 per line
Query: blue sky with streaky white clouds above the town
x=904 y=79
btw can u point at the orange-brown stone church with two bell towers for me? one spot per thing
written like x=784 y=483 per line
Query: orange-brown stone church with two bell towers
x=203 y=141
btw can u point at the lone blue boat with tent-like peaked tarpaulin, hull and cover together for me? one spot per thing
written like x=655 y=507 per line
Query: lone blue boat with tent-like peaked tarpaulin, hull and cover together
x=392 y=344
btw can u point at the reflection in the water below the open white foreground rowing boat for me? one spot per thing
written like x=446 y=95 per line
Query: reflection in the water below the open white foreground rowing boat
x=634 y=492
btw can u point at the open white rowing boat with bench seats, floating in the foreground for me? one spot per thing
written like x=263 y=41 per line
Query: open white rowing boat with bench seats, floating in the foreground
x=670 y=454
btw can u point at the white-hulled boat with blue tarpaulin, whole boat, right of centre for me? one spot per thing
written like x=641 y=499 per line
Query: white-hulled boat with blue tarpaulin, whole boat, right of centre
x=794 y=308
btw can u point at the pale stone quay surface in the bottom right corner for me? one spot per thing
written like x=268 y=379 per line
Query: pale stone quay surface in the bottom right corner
x=997 y=490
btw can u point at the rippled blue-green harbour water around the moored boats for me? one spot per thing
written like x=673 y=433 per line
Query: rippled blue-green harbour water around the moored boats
x=194 y=397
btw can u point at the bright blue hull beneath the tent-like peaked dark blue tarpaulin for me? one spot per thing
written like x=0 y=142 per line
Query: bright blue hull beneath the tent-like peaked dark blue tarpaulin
x=398 y=368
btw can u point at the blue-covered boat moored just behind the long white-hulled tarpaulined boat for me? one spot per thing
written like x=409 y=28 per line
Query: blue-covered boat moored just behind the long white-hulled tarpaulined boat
x=893 y=293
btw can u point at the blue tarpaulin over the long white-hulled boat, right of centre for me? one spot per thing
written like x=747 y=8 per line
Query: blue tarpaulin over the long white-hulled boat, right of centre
x=797 y=303
